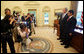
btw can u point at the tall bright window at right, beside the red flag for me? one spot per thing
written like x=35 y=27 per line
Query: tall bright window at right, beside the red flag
x=79 y=13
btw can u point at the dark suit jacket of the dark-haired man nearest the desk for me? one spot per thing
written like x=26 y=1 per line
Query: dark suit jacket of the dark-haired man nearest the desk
x=70 y=25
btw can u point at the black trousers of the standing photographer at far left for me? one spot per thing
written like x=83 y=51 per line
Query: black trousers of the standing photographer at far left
x=4 y=40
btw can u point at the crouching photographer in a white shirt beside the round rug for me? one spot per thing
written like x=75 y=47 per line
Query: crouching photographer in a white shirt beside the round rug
x=23 y=33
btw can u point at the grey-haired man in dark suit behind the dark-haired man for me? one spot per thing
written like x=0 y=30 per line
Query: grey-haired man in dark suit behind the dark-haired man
x=62 y=22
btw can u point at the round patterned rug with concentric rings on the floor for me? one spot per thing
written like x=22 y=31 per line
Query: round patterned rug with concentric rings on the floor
x=38 y=45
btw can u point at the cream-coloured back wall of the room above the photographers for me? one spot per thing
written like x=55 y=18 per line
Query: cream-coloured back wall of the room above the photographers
x=41 y=4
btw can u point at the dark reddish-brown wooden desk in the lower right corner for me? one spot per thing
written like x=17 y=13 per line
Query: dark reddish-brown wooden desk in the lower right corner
x=77 y=41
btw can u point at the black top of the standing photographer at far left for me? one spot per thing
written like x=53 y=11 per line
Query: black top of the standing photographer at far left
x=5 y=24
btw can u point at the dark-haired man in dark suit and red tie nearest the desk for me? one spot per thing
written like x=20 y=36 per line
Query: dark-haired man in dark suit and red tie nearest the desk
x=69 y=28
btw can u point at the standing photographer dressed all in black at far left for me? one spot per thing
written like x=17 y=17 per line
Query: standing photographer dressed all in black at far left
x=6 y=34
